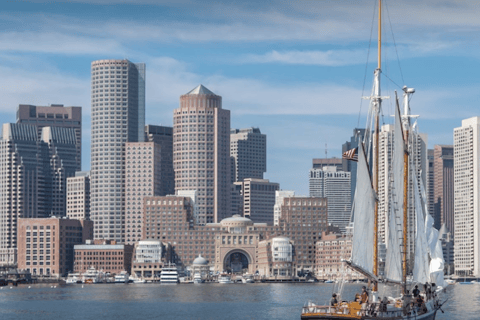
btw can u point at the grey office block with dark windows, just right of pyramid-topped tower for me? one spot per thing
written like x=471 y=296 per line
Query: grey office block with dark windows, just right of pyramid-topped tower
x=248 y=148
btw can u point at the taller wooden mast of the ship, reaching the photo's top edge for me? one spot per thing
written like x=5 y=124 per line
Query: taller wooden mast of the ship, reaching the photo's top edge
x=376 y=145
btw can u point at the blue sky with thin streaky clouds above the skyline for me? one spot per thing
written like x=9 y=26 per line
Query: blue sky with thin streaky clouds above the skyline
x=295 y=69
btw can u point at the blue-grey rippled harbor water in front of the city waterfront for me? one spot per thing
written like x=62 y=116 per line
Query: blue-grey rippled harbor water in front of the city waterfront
x=188 y=301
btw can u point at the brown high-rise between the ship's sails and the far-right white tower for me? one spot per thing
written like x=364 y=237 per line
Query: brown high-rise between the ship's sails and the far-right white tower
x=443 y=187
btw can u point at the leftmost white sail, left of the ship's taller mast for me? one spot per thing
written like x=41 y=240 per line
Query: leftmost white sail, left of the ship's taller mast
x=364 y=206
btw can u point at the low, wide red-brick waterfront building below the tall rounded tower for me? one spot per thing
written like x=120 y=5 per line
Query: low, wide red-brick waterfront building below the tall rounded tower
x=105 y=255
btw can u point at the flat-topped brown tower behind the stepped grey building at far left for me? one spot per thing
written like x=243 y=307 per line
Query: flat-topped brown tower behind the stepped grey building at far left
x=55 y=115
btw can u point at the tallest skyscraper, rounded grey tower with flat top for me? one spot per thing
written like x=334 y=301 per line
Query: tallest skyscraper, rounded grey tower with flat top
x=118 y=116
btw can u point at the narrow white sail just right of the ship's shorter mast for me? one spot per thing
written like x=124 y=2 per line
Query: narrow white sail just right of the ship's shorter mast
x=421 y=265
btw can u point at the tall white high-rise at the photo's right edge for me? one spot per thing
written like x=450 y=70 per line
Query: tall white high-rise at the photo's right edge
x=466 y=140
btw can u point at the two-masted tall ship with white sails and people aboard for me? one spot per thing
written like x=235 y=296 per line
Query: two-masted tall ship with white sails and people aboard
x=413 y=283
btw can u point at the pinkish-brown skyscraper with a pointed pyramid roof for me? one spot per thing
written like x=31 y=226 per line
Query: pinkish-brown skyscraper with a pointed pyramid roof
x=201 y=152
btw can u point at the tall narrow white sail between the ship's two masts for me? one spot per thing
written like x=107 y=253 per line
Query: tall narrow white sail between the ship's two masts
x=393 y=263
